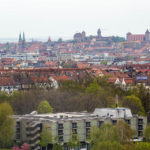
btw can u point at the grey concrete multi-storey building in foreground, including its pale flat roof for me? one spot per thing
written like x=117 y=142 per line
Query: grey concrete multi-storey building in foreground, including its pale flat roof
x=64 y=125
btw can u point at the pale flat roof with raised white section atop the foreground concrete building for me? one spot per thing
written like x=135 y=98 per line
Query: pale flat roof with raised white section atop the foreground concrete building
x=102 y=113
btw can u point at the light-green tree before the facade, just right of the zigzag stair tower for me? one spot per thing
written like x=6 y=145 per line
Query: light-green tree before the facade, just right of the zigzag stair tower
x=46 y=137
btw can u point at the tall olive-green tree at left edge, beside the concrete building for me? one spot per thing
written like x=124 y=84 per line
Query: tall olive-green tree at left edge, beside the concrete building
x=6 y=125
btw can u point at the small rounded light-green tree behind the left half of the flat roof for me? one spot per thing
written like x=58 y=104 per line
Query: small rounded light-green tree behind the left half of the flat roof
x=44 y=107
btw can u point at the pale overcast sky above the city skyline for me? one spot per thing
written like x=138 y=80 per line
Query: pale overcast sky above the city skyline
x=62 y=18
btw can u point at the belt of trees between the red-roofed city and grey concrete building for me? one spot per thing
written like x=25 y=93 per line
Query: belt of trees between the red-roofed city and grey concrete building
x=84 y=95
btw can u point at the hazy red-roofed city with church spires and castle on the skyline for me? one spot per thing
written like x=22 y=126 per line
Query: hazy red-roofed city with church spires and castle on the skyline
x=121 y=60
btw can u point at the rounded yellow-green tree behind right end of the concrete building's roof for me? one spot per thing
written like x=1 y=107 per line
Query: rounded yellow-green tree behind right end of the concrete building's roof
x=134 y=103
